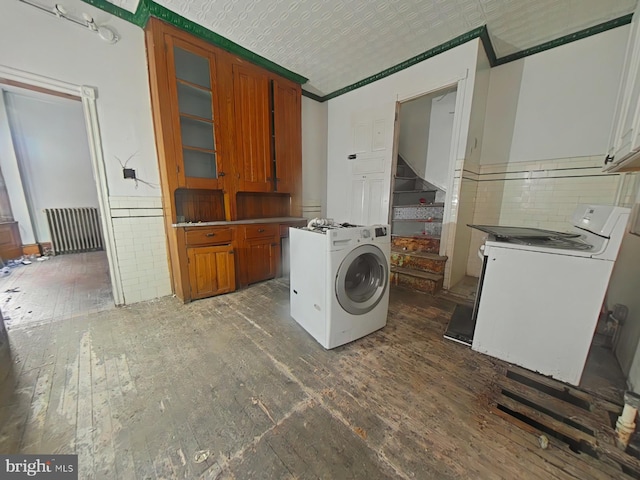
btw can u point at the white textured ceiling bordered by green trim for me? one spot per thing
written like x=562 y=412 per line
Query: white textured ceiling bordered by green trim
x=338 y=42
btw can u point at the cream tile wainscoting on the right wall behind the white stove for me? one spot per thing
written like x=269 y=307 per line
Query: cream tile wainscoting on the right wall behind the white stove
x=540 y=194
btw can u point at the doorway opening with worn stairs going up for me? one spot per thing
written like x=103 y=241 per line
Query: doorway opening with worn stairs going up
x=421 y=184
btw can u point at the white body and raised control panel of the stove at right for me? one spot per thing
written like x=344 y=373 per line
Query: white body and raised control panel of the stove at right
x=538 y=307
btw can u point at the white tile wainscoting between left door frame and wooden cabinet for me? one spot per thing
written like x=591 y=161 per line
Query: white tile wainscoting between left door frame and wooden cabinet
x=141 y=247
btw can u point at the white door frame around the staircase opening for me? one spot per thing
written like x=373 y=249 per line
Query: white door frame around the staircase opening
x=459 y=83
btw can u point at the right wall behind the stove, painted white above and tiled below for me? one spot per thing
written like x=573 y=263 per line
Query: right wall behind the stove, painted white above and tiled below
x=546 y=128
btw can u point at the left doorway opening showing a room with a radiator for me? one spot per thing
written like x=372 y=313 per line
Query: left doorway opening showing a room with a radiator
x=47 y=167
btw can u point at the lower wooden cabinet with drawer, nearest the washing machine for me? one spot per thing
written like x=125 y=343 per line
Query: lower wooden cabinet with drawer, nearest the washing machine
x=260 y=252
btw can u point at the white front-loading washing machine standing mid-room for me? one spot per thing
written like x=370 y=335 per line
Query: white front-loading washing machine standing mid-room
x=339 y=280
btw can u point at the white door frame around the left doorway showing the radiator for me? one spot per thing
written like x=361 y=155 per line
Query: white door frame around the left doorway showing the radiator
x=88 y=96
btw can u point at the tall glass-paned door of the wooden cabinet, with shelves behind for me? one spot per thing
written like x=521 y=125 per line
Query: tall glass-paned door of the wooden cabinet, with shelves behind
x=195 y=98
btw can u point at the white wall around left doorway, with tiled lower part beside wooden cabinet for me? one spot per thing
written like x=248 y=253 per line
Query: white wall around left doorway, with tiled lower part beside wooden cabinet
x=42 y=44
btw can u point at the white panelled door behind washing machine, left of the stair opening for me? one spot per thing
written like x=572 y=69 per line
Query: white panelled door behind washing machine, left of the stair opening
x=369 y=168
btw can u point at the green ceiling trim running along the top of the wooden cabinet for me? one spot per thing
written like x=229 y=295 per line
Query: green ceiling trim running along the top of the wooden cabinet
x=187 y=25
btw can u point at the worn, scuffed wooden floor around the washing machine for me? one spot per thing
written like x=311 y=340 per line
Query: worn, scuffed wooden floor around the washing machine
x=232 y=387
